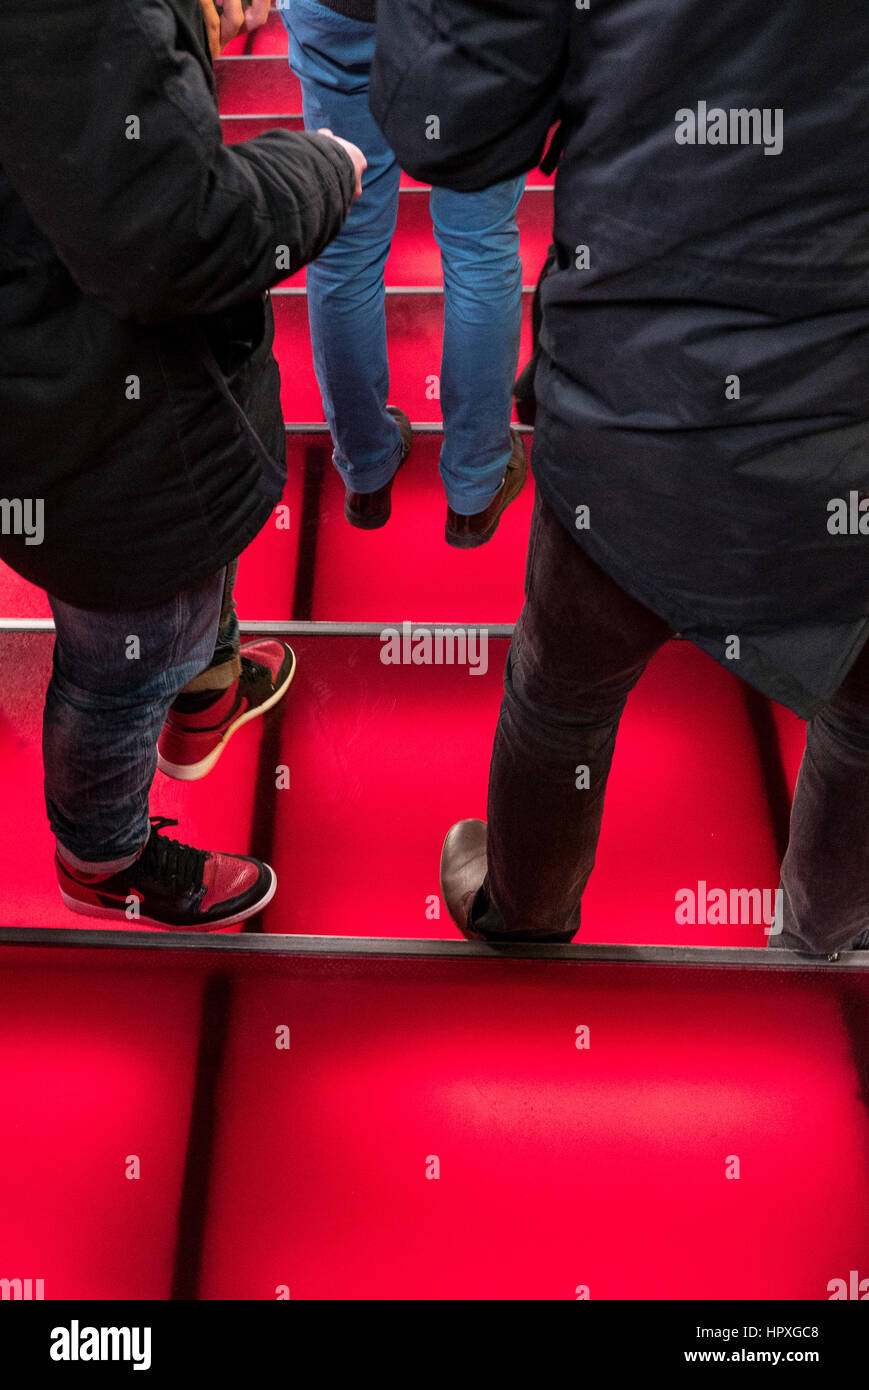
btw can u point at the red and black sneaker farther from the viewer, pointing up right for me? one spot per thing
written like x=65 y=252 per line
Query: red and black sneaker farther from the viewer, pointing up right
x=200 y=728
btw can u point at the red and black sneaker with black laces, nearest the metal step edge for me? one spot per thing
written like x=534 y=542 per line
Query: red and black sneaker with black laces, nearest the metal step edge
x=173 y=886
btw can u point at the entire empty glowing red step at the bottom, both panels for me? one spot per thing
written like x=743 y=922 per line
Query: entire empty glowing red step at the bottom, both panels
x=433 y=1131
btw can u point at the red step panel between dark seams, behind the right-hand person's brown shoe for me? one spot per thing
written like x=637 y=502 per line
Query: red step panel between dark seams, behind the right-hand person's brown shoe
x=383 y=760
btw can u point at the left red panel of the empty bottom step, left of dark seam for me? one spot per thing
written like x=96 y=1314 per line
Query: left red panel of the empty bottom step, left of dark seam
x=98 y=1075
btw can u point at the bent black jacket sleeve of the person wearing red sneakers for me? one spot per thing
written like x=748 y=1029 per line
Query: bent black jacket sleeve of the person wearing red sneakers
x=111 y=134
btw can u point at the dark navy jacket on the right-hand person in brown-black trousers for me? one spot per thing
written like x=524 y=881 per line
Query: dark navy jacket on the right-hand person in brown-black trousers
x=704 y=380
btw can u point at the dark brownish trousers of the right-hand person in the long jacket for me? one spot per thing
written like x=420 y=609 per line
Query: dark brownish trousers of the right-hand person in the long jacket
x=579 y=650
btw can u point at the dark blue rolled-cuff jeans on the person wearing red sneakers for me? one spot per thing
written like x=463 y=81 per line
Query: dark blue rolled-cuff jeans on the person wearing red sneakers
x=115 y=678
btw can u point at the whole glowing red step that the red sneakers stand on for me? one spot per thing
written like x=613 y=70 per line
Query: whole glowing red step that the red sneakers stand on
x=383 y=760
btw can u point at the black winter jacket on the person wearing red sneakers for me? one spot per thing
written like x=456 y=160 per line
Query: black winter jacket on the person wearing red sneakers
x=138 y=391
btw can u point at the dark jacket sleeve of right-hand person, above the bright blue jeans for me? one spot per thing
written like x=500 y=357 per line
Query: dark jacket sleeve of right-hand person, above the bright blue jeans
x=466 y=91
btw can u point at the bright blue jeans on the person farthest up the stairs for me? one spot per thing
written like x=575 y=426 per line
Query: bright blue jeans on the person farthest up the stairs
x=479 y=244
